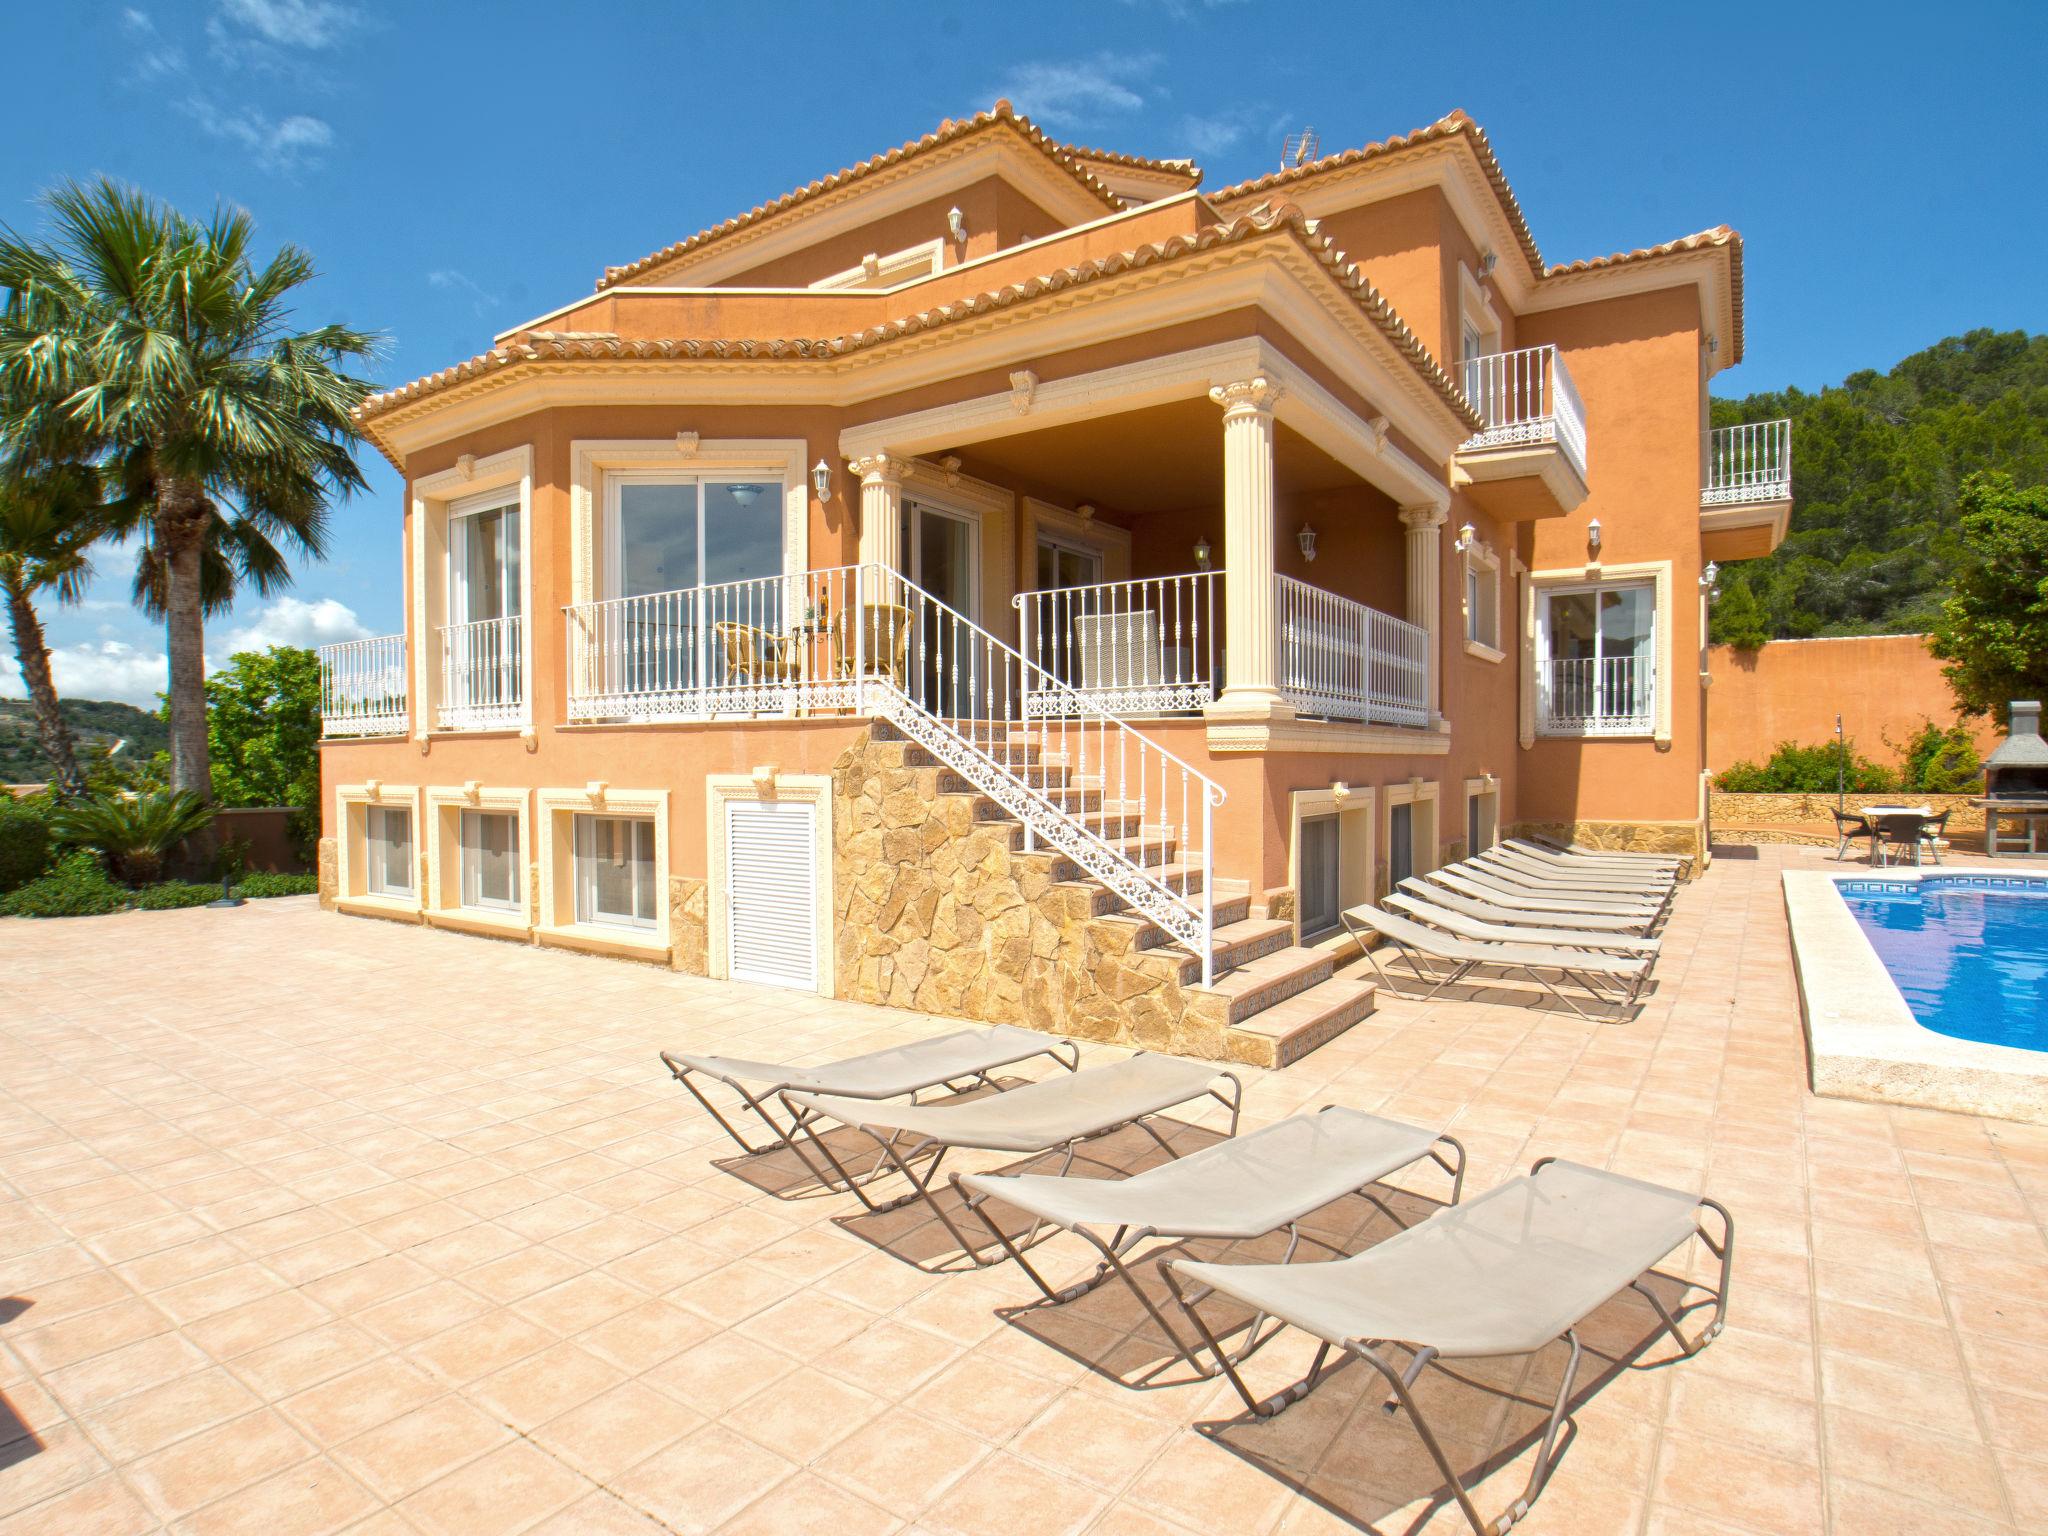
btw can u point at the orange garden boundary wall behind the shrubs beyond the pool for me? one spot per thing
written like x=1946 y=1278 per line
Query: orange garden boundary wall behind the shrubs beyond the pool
x=1885 y=687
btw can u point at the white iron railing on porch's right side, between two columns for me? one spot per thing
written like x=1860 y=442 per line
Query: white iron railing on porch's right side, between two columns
x=1347 y=660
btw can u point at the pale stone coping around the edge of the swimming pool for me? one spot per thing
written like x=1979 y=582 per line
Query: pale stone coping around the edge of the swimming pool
x=1861 y=1035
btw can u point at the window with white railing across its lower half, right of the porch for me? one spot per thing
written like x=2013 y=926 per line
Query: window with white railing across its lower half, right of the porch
x=1596 y=658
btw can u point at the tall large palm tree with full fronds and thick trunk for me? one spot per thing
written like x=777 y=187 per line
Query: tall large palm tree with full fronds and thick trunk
x=230 y=431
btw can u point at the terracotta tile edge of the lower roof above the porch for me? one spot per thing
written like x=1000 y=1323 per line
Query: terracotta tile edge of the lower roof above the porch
x=1287 y=220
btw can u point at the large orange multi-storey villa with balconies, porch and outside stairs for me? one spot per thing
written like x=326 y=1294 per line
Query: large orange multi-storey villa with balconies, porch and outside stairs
x=1015 y=583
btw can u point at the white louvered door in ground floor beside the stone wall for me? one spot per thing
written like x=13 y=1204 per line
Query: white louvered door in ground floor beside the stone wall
x=771 y=892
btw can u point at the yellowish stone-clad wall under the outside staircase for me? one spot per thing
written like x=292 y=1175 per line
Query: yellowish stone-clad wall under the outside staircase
x=939 y=910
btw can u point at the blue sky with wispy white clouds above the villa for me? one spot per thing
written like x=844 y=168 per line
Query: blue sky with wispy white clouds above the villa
x=460 y=169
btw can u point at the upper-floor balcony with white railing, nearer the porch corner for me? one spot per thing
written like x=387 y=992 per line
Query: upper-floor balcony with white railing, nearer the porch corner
x=1529 y=456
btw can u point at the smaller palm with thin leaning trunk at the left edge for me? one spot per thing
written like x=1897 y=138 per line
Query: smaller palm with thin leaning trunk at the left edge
x=50 y=519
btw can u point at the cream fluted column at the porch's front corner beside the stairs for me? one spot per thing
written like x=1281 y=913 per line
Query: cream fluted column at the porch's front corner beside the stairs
x=1252 y=687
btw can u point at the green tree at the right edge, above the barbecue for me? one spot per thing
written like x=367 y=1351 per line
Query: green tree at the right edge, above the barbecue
x=1994 y=634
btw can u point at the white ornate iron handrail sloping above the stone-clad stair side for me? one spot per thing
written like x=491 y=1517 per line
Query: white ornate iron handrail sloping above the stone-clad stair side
x=898 y=679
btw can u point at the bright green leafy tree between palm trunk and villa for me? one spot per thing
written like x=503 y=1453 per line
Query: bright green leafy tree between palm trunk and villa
x=263 y=730
